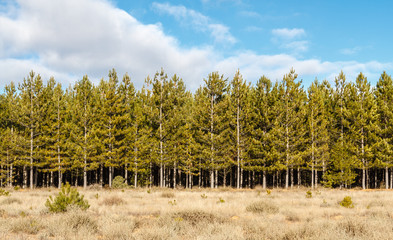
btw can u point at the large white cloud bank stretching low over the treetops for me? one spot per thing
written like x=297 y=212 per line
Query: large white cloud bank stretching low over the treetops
x=68 y=39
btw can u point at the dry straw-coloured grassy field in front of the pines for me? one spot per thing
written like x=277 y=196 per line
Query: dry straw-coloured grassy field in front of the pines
x=201 y=214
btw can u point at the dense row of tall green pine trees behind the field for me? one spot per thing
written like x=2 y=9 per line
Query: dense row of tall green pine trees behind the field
x=227 y=133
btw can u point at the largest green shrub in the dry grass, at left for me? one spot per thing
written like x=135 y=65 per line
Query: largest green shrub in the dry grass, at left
x=67 y=197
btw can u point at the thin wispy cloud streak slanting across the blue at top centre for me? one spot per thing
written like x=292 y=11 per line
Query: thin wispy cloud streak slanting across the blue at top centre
x=200 y=22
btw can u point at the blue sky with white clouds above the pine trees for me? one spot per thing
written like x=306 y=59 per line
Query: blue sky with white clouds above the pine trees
x=192 y=38
